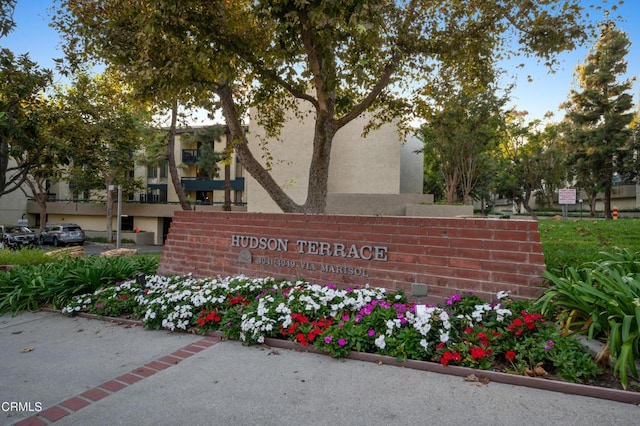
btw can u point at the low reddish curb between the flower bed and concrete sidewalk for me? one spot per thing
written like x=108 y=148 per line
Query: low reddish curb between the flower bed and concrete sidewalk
x=627 y=397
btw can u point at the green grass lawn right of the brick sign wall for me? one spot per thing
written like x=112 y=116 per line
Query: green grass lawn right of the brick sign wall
x=573 y=242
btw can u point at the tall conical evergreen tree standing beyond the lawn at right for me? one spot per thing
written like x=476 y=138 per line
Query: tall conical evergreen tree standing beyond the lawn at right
x=601 y=112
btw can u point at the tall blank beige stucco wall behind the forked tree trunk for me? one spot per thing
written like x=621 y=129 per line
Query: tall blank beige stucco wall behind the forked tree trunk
x=359 y=165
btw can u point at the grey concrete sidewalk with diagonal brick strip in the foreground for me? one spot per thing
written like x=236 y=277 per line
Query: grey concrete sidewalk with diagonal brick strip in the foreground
x=77 y=371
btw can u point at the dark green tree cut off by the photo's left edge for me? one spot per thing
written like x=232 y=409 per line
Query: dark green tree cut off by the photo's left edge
x=22 y=83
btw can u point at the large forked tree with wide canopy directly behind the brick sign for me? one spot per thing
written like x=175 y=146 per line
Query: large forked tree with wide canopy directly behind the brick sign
x=341 y=58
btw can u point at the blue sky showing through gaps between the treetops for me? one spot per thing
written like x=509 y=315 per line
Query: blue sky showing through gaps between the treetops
x=544 y=93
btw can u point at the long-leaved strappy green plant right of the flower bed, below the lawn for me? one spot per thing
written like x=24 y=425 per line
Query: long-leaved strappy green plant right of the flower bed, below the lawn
x=603 y=298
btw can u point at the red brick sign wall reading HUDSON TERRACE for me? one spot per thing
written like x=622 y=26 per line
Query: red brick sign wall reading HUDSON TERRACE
x=429 y=258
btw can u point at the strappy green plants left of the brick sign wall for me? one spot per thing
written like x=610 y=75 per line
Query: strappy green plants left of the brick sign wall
x=33 y=286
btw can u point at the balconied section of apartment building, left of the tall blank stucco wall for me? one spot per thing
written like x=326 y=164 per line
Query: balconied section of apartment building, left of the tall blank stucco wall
x=146 y=214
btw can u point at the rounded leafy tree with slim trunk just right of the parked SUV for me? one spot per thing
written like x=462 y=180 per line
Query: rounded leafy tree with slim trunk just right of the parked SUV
x=103 y=130
